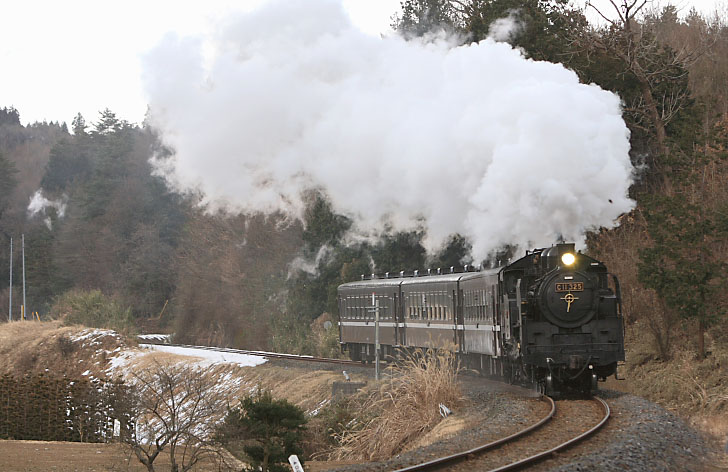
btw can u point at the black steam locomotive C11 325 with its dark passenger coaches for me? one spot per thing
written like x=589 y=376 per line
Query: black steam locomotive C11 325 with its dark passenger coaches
x=552 y=318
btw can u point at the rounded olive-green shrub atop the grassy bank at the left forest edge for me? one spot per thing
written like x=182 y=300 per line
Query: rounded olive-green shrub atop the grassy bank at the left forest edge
x=93 y=309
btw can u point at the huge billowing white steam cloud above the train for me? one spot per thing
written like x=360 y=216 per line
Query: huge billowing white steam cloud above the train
x=473 y=140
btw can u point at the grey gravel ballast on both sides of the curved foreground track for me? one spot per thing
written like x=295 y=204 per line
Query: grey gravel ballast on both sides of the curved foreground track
x=640 y=436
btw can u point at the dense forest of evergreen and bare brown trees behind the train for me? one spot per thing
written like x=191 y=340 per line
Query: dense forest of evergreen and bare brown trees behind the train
x=102 y=229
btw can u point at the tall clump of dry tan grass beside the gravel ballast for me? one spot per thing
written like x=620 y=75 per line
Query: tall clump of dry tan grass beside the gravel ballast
x=404 y=408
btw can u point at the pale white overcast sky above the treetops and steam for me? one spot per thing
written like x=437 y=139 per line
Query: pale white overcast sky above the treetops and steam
x=61 y=58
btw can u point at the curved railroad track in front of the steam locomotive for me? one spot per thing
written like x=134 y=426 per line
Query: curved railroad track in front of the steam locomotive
x=517 y=451
